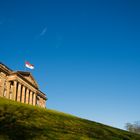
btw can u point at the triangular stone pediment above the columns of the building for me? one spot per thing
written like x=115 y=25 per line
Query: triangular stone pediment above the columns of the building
x=29 y=77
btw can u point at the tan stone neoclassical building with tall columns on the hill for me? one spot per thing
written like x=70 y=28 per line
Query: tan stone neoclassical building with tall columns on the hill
x=20 y=86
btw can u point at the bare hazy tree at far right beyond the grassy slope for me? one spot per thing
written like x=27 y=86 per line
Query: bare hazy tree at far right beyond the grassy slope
x=135 y=127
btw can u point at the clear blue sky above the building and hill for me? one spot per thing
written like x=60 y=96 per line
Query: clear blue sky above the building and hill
x=86 y=54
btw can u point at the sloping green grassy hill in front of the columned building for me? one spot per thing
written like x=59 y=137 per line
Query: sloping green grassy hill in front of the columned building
x=24 y=122
